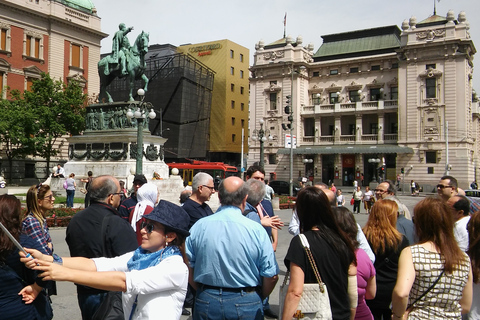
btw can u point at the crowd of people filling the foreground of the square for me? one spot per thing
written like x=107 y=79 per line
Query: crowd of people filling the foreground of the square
x=159 y=258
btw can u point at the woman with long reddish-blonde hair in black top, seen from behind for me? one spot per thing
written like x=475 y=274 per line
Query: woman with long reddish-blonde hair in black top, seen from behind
x=387 y=244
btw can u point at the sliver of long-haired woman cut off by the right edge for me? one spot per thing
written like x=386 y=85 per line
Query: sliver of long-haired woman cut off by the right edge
x=473 y=228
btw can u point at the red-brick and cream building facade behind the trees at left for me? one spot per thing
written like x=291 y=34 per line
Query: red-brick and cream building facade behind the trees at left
x=58 y=37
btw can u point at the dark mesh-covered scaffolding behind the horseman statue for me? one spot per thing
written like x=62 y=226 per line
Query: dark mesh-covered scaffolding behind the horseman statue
x=180 y=90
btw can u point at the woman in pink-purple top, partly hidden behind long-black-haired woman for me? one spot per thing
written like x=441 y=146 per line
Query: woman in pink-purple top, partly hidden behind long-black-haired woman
x=366 y=283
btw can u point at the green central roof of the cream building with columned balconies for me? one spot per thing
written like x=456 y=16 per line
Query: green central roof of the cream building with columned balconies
x=361 y=41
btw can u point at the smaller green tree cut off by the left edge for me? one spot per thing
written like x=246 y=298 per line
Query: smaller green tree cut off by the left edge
x=17 y=127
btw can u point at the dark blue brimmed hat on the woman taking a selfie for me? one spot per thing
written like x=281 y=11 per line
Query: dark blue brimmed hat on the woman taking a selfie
x=171 y=216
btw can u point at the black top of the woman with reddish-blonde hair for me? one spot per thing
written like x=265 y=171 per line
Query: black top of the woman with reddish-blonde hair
x=386 y=267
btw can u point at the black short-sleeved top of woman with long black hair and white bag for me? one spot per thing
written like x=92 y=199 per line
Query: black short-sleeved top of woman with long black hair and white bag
x=333 y=271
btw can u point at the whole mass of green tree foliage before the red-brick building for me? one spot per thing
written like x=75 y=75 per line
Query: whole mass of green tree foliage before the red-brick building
x=32 y=121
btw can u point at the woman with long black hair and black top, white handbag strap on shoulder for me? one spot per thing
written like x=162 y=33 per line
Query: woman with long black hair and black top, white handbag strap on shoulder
x=332 y=251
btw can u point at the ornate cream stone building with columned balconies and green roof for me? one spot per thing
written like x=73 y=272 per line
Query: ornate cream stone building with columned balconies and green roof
x=369 y=105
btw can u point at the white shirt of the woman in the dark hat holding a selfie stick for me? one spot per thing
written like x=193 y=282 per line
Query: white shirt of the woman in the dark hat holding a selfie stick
x=161 y=289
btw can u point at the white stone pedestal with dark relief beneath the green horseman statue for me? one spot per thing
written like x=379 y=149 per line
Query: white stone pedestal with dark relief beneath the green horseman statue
x=109 y=146
